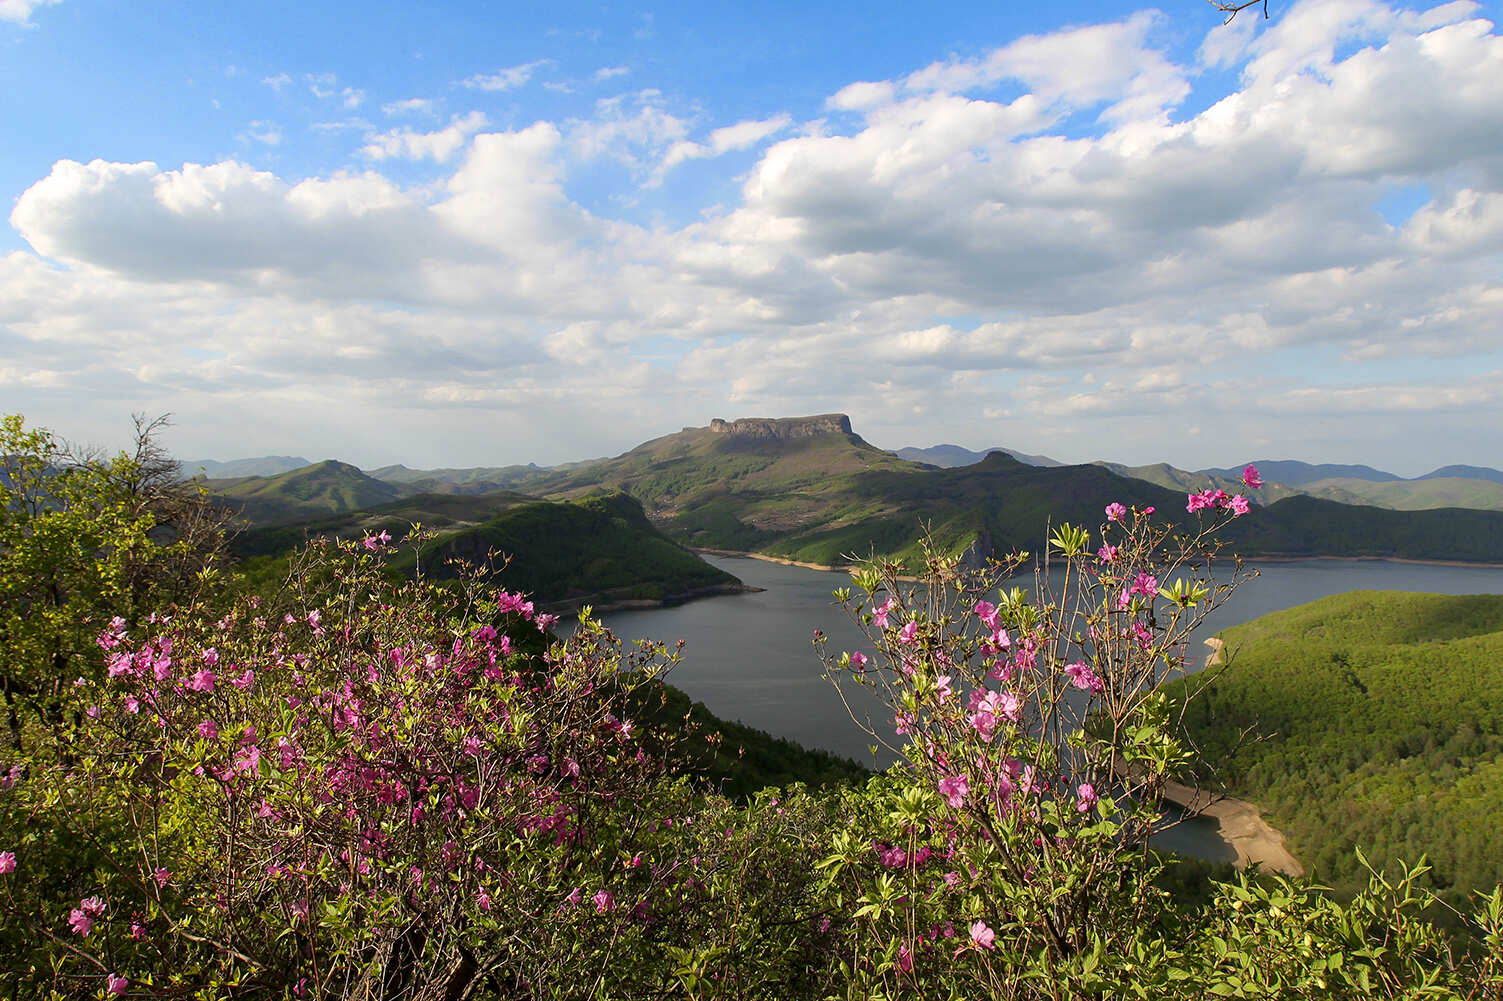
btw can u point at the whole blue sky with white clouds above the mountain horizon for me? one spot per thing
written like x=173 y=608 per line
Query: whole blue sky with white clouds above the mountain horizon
x=482 y=234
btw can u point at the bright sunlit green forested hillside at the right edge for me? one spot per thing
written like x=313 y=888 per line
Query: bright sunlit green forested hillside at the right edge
x=1382 y=716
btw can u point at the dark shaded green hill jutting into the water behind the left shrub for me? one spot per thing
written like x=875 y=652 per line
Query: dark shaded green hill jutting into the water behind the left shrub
x=593 y=551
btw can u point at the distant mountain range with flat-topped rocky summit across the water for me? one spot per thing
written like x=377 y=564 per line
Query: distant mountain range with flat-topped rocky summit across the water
x=812 y=491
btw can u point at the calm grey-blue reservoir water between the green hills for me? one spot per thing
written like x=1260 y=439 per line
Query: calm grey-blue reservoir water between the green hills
x=749 y=658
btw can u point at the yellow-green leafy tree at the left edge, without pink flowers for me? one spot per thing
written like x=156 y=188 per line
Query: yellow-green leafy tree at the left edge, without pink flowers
x=86 y=539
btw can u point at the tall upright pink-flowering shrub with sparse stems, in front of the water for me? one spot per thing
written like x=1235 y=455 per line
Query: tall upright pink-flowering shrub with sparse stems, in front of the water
x=1012 y=850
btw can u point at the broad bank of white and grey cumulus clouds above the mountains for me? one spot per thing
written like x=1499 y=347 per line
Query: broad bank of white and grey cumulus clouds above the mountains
x=939 y=250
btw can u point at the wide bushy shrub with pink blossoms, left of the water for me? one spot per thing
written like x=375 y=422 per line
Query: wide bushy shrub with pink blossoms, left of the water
x=372 y=793
